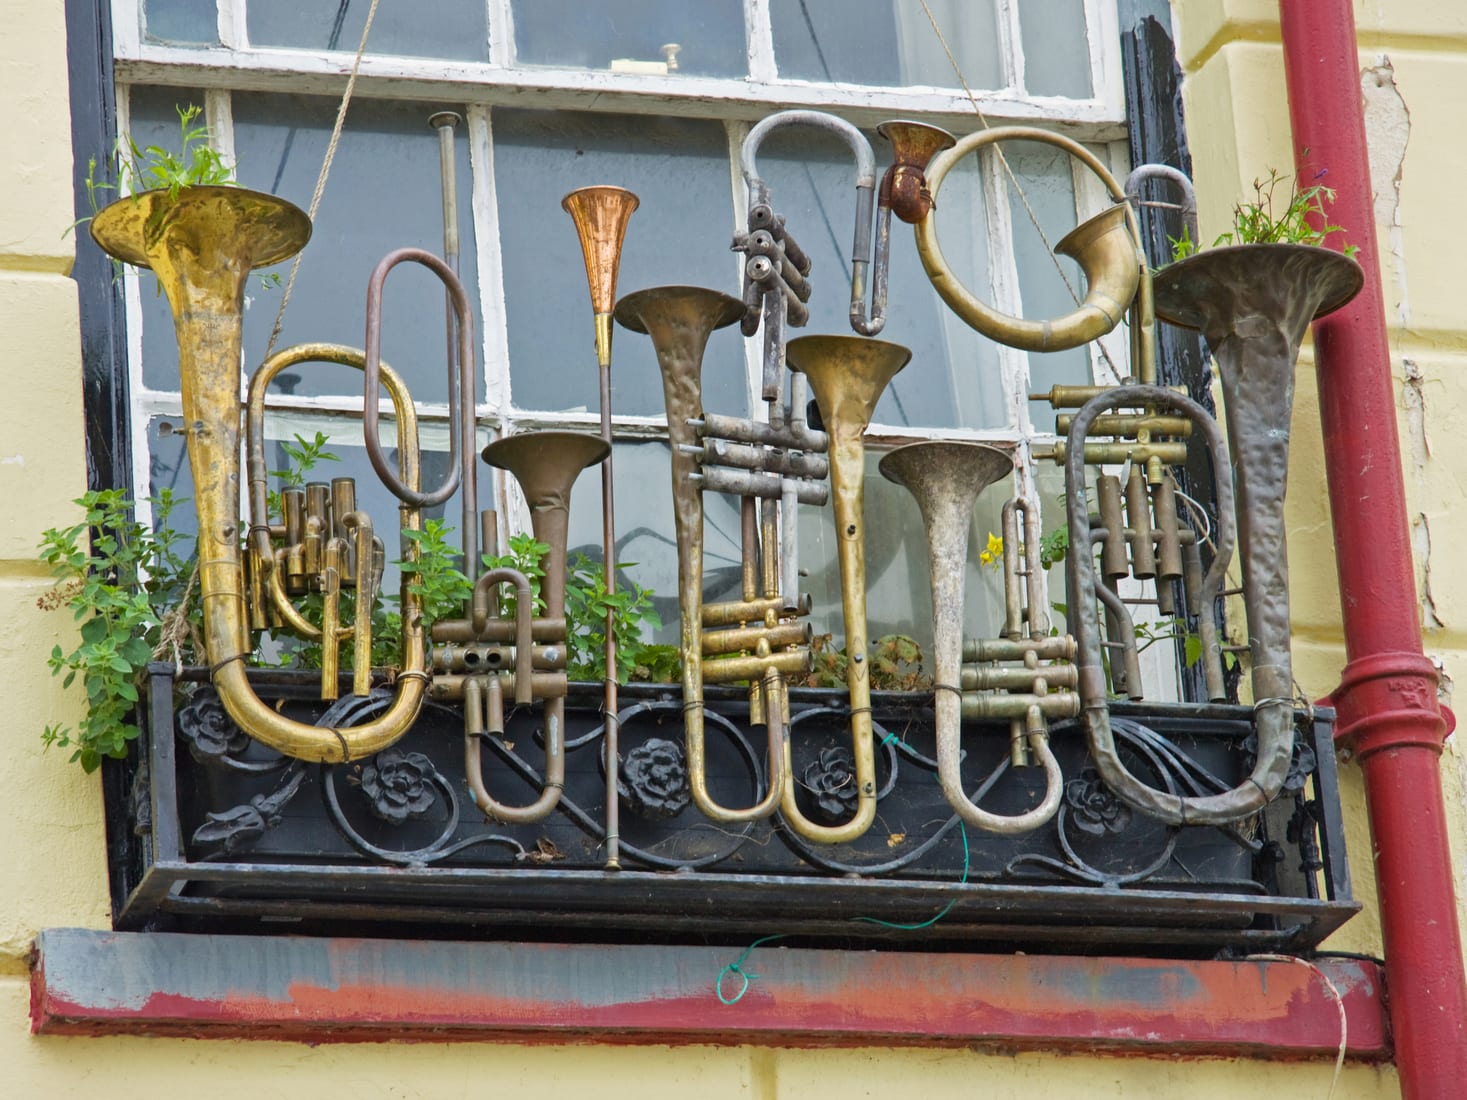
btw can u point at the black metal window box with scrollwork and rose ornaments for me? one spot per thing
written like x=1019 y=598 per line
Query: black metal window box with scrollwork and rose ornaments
x=212 y=832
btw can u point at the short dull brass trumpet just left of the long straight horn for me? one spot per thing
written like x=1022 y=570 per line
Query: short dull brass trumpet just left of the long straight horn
x=546 y=466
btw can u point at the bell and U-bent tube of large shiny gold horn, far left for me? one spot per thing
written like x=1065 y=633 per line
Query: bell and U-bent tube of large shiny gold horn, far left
x=203 y=244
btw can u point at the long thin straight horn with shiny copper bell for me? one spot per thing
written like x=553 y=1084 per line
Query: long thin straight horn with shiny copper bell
x=601 y=216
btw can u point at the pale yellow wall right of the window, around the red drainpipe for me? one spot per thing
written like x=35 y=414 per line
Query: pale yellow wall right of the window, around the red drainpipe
x=1413 y=74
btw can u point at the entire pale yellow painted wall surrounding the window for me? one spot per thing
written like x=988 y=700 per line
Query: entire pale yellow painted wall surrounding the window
x=51 y=816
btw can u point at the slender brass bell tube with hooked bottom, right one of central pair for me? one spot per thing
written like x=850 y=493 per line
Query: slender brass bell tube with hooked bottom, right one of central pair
x=847 y=376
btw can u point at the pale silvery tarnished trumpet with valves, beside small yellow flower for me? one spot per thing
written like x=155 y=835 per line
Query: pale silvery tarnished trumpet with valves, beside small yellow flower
x=947 y=479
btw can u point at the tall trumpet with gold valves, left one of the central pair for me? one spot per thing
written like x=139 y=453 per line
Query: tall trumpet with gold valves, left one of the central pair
x=680 y=322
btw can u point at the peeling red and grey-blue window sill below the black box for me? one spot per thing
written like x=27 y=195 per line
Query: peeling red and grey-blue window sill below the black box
x=343 y=991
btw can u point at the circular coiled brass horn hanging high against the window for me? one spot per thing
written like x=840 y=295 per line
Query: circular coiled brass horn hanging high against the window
x=1107 y=247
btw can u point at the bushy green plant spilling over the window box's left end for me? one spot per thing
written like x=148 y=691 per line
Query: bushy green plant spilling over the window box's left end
x=124 y=583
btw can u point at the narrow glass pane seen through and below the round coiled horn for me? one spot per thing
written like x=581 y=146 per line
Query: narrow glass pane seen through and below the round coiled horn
x=1050 y=285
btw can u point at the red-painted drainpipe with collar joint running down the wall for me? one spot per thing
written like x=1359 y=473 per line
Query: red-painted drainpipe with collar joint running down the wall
x=1387 y=699
